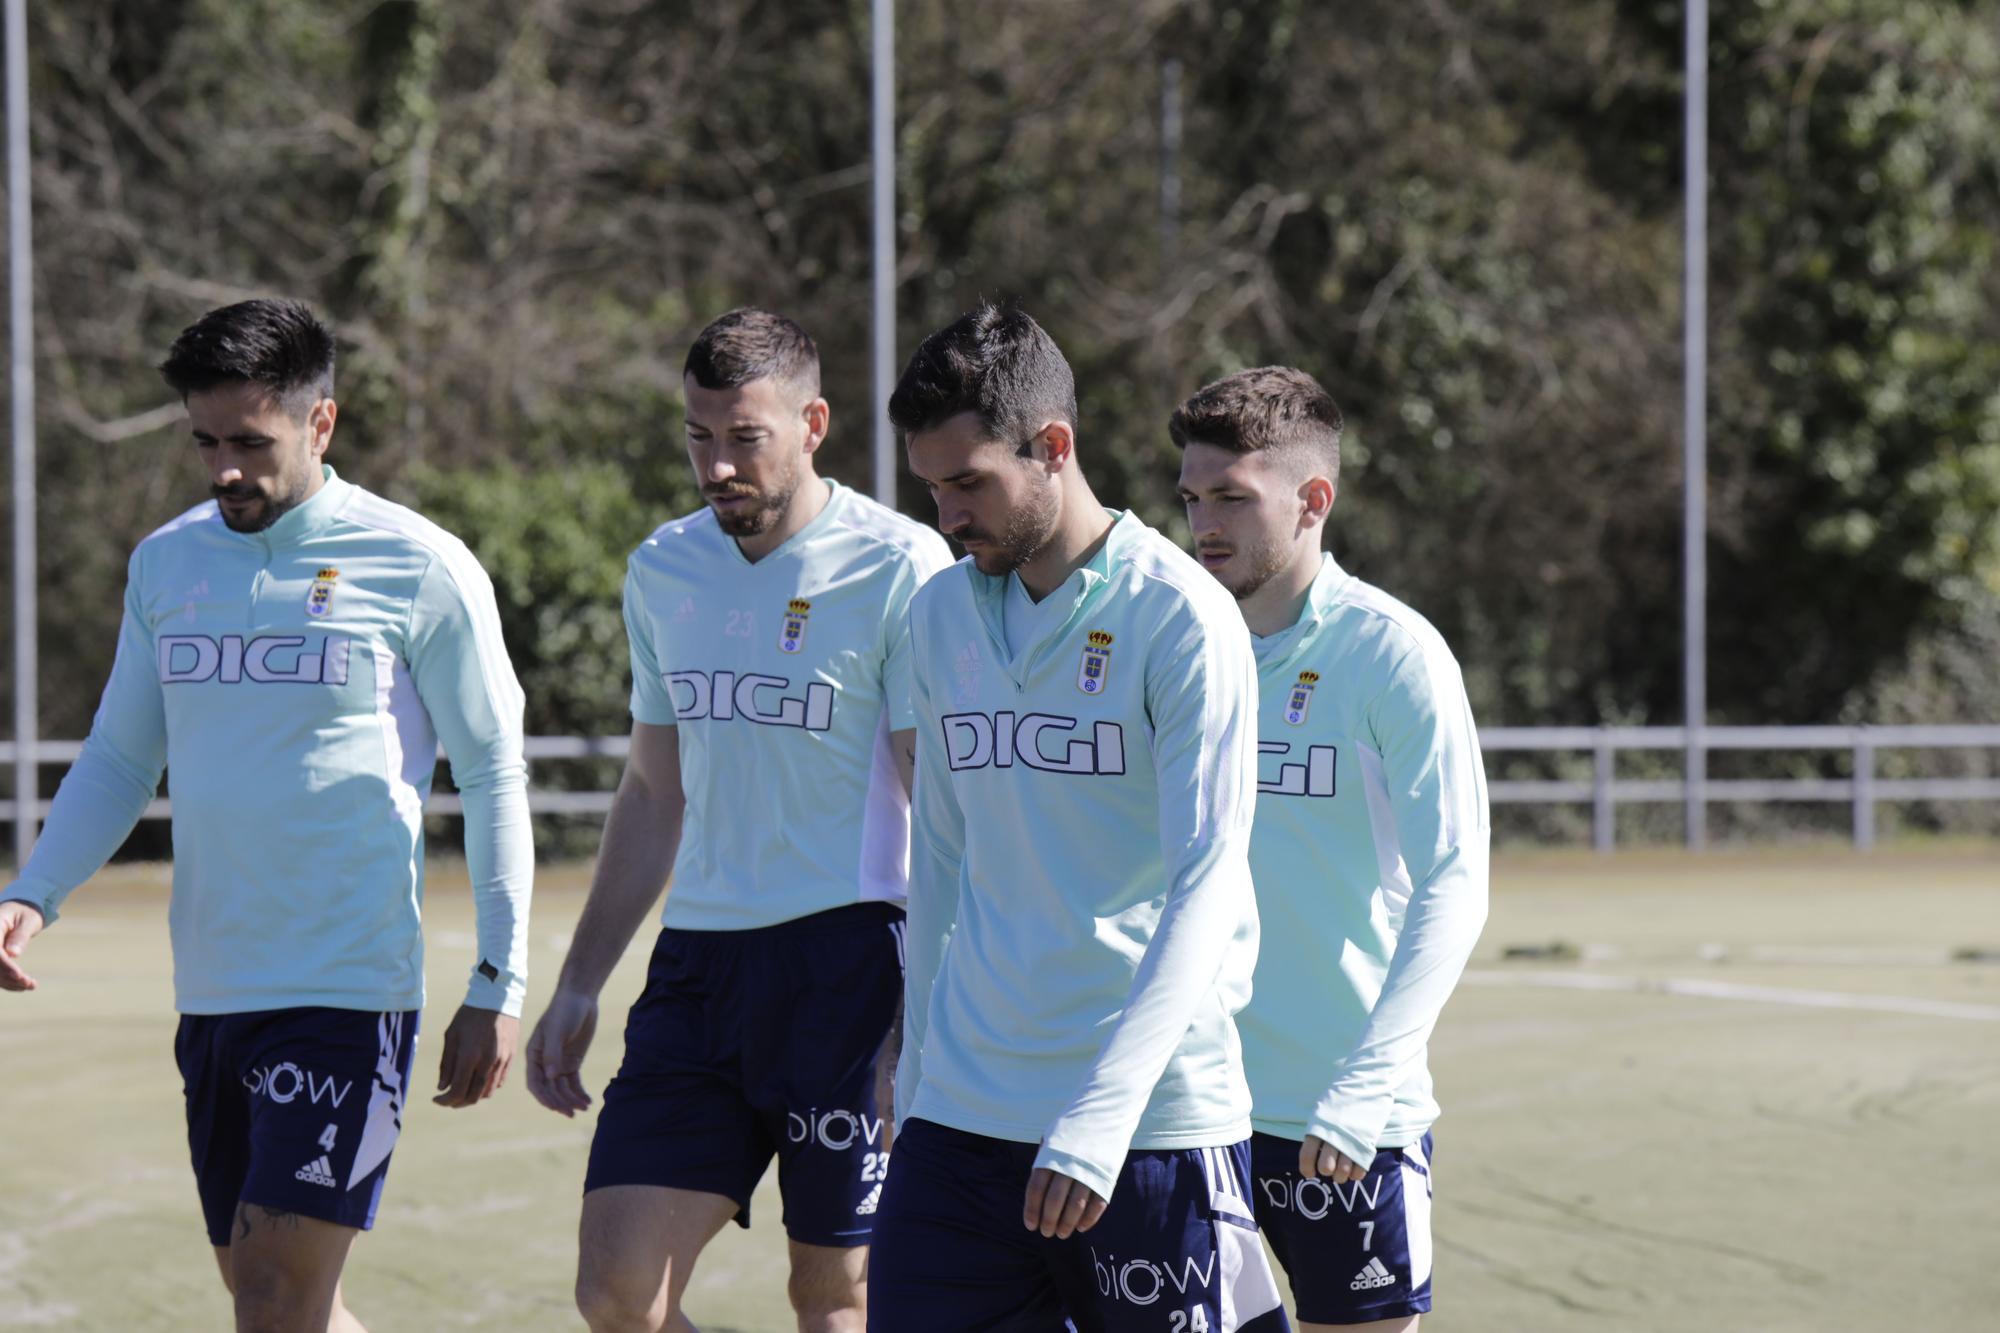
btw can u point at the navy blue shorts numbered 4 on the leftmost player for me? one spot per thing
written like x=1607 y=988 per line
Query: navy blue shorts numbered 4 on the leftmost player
x=293 y=1110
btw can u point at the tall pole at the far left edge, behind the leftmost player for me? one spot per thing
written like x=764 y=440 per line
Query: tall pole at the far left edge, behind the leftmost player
x=21 y=339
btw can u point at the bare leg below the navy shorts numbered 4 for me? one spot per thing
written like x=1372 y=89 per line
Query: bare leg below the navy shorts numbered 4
x=283 y=1272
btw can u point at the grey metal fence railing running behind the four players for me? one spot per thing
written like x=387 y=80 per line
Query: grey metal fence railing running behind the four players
x=1605 y=792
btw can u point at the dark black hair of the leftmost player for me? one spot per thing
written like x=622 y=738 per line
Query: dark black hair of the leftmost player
x=277 y=345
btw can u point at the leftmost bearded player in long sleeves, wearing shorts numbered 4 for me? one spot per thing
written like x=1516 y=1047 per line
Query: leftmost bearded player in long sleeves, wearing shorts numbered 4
x=293 y=651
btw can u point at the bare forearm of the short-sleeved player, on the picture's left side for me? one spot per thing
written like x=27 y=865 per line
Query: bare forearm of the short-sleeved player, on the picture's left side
x=641 y=842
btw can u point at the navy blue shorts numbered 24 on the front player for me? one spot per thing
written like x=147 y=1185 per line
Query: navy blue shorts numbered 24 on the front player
x=1177 y=1252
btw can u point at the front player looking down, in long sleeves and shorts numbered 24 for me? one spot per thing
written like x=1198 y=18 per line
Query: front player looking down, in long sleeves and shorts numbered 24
x=1075 y=1118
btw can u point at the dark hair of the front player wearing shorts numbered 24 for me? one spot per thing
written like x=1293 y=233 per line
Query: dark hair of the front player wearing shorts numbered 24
x=993 y=361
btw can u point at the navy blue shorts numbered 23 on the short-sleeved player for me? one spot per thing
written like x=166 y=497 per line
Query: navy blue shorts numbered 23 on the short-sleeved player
x=757 y=1044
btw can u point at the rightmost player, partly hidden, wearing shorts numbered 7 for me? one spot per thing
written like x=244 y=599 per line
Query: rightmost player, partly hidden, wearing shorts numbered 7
x=1369 y=854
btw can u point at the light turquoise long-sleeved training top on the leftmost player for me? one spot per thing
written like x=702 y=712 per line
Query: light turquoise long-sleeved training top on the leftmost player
x=295 y=684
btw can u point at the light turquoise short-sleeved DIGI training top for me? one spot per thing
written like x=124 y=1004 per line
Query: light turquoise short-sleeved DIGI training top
x=783 y=680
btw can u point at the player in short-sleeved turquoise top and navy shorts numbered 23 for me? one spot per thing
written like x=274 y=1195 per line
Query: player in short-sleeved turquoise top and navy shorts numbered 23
x=769 y=772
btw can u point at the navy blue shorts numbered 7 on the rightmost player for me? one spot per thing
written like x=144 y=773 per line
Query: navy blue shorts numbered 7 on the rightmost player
x=1359 y=1252
